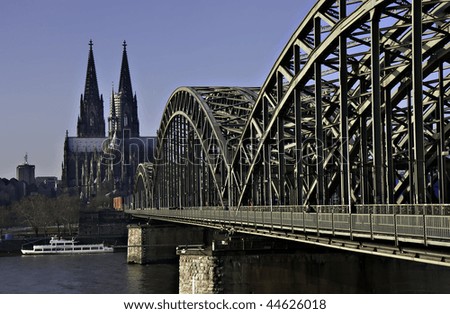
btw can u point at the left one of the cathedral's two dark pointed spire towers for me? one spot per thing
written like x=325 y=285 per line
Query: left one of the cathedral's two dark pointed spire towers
x=91 y=122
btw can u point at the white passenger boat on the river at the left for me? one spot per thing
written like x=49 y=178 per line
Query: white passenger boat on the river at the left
x=63 y=246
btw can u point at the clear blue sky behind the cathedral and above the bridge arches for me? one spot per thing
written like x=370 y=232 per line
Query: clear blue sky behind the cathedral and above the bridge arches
x=171 y=43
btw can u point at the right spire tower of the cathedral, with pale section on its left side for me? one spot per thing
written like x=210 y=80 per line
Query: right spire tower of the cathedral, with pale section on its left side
x=123 y=116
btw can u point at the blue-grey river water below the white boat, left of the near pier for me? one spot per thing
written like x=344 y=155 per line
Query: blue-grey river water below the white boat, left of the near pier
x=95 y=273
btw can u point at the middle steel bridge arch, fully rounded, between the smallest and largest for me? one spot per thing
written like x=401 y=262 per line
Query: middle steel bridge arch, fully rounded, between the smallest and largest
x=199 y=131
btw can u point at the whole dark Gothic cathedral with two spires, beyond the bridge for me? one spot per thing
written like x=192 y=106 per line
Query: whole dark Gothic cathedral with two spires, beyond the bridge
x=93 y=161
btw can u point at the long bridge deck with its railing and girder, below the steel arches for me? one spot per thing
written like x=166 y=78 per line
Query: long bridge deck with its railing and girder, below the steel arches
x=424 y=238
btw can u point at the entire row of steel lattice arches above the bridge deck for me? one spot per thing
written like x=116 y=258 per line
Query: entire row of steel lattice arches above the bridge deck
x=355 y=111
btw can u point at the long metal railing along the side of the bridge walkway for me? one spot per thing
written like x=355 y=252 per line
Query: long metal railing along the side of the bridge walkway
x=407 y=228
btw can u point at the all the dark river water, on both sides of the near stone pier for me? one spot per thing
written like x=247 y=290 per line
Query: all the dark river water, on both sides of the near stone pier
x=314 y=271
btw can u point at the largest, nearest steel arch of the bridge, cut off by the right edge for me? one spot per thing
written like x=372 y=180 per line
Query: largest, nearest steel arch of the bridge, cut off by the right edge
x=354 y=111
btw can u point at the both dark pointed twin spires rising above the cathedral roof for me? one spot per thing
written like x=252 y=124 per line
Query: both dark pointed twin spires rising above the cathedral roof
x=123 y=120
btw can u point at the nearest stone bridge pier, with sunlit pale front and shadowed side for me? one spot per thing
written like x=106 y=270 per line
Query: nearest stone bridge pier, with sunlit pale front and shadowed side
x=233 y=264
